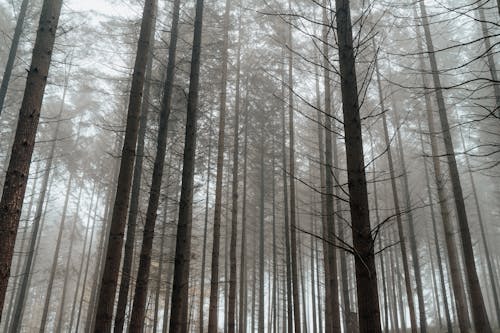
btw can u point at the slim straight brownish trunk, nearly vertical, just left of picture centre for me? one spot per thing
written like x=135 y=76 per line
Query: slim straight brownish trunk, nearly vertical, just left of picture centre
x=234 y=208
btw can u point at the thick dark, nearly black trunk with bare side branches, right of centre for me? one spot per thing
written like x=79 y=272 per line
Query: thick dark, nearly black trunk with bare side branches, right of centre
x=366 y=276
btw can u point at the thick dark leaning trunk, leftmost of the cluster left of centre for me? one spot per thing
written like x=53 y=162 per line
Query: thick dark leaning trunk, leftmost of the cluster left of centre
x=106 y=300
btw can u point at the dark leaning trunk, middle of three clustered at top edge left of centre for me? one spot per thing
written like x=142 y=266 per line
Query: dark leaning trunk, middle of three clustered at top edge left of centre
x=141 y=288
